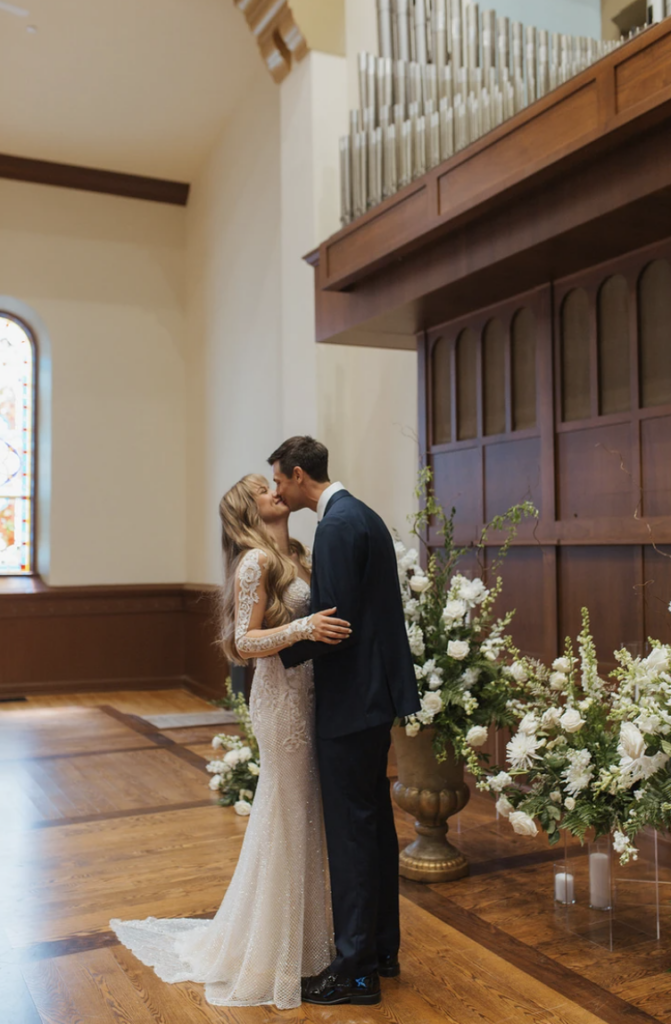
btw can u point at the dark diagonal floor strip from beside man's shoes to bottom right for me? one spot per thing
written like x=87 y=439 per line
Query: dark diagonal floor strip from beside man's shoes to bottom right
x=581 y=991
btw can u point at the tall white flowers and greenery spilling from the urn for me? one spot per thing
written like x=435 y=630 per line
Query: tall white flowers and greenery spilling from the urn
x=456 y=643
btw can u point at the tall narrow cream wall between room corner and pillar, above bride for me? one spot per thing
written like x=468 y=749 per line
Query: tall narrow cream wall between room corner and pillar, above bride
x=235 y=317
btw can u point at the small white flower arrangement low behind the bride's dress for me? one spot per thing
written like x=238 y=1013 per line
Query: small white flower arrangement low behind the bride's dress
x=235 y=777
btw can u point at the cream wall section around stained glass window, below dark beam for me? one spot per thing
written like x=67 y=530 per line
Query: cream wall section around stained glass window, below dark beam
x=106 y=276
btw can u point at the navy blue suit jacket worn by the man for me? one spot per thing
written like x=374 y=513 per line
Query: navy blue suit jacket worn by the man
x=368 y=679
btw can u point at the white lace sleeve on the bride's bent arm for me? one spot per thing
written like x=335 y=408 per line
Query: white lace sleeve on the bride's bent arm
x=261 y=643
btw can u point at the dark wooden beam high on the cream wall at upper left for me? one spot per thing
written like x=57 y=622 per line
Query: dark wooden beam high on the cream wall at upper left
x=46 y=173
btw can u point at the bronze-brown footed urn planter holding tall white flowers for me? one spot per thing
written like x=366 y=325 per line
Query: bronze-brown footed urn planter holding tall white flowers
x=433 y=793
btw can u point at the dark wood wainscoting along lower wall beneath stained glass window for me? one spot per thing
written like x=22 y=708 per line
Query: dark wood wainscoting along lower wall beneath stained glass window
x=63 y=639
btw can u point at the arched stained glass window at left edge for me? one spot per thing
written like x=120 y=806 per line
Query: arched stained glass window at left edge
x=17 y=448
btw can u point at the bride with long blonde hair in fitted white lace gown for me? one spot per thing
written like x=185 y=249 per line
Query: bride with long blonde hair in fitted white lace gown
x=275 y=924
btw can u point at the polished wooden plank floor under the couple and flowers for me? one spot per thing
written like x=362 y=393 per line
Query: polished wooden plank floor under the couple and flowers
x=105 y=817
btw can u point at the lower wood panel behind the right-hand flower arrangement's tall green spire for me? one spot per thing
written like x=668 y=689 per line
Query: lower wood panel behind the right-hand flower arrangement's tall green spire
x=606 y=581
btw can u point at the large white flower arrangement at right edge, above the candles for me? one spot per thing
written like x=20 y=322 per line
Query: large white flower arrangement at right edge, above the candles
x=589 y=753
